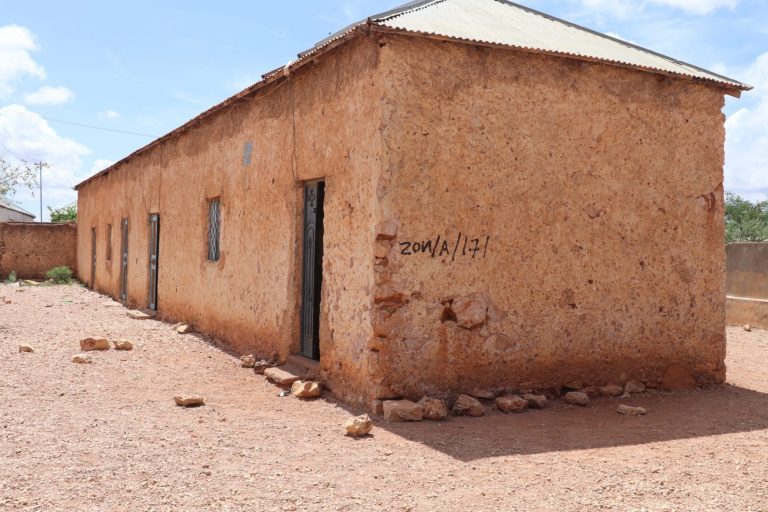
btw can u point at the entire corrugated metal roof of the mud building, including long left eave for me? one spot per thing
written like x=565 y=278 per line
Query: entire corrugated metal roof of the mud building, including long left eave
x=493 y=22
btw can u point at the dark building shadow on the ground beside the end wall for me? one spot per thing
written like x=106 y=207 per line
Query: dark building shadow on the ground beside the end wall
x=726 y=409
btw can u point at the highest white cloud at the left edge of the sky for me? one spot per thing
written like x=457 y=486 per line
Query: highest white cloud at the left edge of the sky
x=16 y=45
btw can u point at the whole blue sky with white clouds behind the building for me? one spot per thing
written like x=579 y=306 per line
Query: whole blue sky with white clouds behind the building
x=146 y=67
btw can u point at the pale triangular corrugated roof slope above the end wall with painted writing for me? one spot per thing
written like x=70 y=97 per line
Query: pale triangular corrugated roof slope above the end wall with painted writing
x=508 y=24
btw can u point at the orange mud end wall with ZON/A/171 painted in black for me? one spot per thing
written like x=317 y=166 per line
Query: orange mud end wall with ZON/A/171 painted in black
x=558 y=220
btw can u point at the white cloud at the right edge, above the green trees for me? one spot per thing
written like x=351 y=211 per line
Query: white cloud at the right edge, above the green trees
x=746 y=162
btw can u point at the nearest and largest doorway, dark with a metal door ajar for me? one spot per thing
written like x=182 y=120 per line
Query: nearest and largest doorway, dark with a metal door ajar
x=312 y=269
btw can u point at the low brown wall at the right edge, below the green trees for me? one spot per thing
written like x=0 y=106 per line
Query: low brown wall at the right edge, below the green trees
x=747 y=284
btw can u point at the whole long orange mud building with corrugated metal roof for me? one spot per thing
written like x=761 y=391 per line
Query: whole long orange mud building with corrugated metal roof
x=453 y=195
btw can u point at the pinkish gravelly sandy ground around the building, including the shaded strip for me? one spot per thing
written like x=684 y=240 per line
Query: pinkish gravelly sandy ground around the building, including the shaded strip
x=107 y=436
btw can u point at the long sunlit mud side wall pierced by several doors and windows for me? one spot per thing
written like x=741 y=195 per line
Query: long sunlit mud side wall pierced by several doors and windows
x=319 y=124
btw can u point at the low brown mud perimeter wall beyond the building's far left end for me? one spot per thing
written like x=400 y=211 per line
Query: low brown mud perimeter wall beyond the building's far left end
x=30 y=248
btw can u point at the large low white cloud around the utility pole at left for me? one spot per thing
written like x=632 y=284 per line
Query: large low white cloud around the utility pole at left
x=25 y=135
